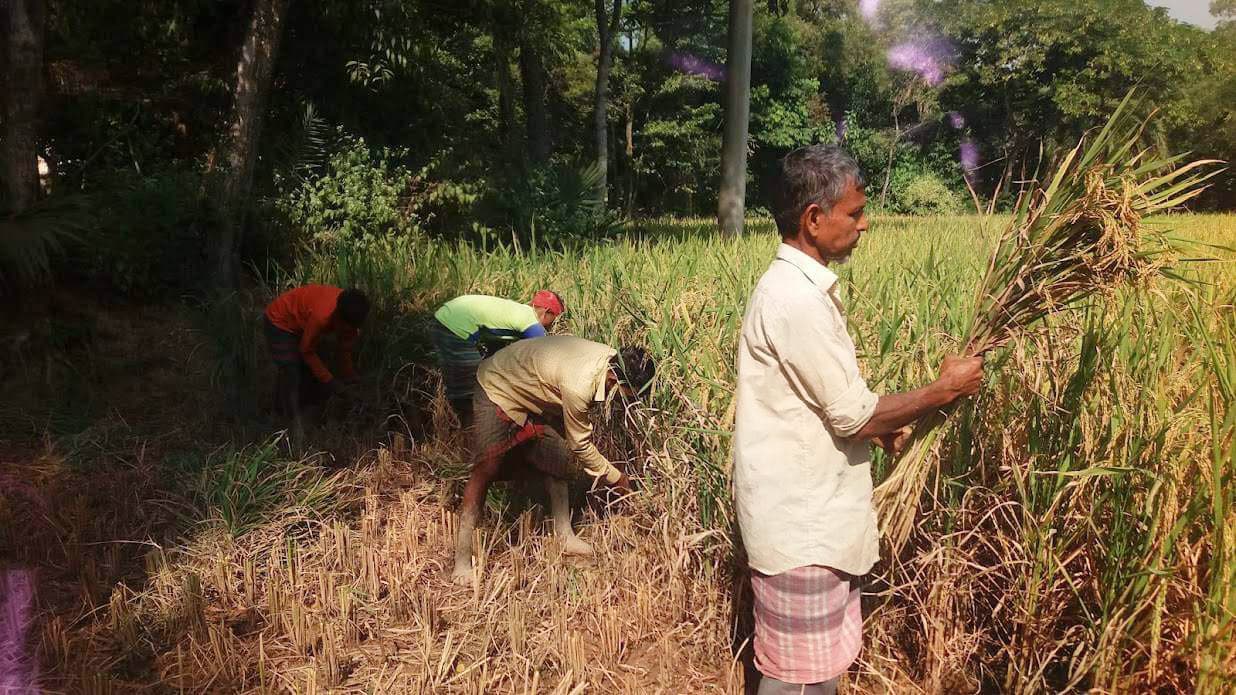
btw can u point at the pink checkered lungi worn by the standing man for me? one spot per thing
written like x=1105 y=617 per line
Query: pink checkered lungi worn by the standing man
x=809 y=624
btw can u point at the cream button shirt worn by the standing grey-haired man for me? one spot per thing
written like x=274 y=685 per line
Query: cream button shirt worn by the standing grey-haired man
x=803 y=484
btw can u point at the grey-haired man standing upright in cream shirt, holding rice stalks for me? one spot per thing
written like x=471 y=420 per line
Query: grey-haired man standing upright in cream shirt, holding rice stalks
x=804 y=421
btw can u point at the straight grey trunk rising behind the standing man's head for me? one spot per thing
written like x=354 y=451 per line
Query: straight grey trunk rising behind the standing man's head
x=731 y=206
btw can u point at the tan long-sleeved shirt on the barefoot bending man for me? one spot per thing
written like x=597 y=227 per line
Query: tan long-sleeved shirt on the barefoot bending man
x=554 y=375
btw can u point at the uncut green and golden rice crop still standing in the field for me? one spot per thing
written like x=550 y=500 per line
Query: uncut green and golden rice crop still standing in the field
x=1086 y=498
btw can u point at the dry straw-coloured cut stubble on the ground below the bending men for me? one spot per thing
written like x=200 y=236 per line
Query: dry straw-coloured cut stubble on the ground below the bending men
x=369 y=602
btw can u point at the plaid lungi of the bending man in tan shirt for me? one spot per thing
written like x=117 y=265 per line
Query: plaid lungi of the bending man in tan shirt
x=538 y=443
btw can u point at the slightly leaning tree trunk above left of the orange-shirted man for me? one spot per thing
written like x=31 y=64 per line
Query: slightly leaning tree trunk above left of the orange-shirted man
x=238 y=155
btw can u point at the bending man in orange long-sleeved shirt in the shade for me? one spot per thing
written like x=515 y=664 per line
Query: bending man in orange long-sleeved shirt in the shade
x=295 y=323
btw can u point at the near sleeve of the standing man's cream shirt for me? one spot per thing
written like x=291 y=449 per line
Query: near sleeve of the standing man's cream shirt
x=819 y=360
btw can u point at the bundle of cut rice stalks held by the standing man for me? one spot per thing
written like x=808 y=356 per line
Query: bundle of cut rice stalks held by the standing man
x=1082 y=237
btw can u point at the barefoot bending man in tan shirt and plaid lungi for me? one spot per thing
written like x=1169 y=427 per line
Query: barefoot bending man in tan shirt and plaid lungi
x=532 y=411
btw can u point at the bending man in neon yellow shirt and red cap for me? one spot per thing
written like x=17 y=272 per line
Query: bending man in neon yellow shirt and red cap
x=469 y=323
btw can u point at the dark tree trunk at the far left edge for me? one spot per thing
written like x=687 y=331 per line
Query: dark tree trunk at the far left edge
x=23 y=87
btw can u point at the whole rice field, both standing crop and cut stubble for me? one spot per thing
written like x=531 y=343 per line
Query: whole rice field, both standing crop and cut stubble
x=1078 y=532
